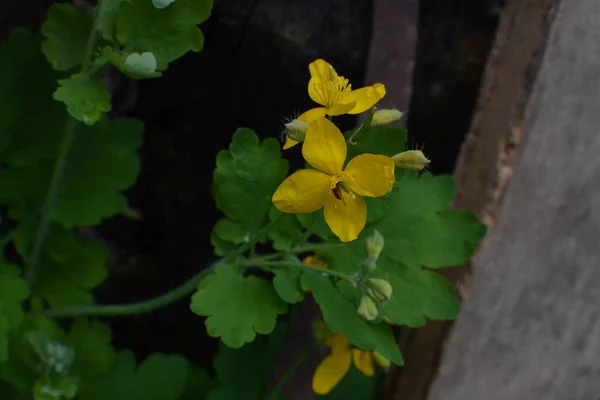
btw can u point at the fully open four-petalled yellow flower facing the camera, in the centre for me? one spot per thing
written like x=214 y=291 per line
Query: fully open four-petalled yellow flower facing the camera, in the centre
x=328 y=185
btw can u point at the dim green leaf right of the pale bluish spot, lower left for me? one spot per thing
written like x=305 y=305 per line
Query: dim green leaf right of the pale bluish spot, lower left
x=94 y=354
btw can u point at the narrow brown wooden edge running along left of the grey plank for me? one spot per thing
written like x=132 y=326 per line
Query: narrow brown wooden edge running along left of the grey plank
x=483 y=169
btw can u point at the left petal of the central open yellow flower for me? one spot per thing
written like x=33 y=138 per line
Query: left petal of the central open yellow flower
x=304 y=191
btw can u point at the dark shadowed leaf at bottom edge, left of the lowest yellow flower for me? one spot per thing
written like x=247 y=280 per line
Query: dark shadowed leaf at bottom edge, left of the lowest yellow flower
x=242 y=373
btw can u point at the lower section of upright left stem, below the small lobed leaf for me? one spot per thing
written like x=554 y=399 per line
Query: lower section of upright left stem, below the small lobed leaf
x=49 y=206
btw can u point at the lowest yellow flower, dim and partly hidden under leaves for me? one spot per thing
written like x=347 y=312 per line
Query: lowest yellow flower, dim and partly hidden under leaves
x=336 y=365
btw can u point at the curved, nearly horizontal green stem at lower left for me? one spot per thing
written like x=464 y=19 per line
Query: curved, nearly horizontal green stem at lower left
x=132 y=308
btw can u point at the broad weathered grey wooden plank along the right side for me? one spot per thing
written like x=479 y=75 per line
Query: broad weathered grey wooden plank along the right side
x=530 y=328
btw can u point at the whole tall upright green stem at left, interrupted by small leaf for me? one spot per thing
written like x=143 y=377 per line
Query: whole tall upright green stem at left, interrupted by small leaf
x=49 y=206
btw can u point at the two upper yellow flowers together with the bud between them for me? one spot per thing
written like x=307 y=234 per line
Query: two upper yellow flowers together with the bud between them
x=330 y=185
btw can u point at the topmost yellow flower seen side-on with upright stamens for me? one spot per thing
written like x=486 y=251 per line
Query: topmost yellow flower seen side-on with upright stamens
x=335 y=94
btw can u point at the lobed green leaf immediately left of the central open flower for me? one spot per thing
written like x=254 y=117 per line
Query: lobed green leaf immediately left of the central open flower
x=245 y=179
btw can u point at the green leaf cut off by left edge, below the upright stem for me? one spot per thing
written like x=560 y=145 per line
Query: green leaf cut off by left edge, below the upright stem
x=13 y=290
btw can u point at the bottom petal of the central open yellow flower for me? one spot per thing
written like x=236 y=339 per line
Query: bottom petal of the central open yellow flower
x=346 y=217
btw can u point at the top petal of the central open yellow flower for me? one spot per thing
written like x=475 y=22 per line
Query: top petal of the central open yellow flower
x=324 y=146
